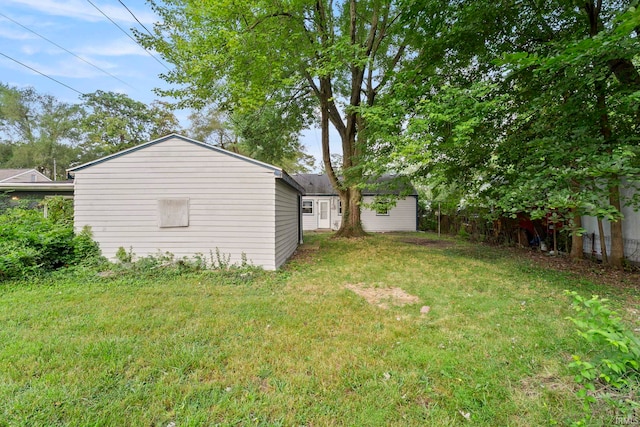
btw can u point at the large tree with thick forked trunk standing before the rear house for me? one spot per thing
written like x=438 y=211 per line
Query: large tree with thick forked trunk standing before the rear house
x=240 y=55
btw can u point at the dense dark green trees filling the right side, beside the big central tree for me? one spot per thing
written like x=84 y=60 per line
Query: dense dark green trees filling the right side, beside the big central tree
x=528 y=106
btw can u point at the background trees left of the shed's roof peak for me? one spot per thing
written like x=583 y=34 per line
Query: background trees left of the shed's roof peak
x=38 y=131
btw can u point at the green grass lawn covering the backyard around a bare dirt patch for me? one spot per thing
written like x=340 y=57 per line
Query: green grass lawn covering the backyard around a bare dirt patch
x=295 y=347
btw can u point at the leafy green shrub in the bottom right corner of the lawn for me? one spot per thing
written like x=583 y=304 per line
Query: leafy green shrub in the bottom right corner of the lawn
x=612 y=373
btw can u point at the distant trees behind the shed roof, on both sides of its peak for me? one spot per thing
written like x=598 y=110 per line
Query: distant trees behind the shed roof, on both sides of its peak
x=39 y=131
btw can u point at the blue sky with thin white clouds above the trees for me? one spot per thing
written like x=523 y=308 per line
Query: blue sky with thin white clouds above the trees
x=77 y=26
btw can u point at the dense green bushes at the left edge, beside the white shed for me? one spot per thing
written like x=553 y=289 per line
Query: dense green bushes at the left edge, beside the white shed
x=31 y=243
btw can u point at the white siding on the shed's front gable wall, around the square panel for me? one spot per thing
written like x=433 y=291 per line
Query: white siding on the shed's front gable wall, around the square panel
x=231 y=203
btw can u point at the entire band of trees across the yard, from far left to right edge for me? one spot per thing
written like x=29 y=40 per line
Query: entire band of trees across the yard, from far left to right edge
x=509 y=107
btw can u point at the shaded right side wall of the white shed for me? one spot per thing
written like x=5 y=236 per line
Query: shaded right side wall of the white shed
x=286 y=222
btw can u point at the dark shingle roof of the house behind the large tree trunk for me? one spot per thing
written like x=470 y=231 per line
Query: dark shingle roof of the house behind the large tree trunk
x=319 y=185
